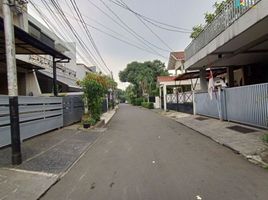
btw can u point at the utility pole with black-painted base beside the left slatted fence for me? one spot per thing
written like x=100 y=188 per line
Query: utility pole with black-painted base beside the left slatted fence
x=12 y=82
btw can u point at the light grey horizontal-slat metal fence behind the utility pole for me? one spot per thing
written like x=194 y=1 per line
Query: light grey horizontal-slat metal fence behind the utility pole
x=36 y=115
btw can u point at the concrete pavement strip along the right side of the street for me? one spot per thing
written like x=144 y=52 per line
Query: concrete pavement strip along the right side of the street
x=250 y=144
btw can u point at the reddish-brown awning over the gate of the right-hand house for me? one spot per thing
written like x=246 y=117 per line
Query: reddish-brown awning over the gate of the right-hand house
x=195 y=74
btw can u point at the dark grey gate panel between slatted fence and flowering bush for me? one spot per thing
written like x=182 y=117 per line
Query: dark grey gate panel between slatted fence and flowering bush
x=73 y=109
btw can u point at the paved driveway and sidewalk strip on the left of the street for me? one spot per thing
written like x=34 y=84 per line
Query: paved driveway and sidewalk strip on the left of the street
x=46 y=158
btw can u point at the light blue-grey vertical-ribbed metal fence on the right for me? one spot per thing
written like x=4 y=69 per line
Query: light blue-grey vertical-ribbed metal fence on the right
x=246 y=104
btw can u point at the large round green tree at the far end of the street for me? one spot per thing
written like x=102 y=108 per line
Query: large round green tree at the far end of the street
x=143 y=76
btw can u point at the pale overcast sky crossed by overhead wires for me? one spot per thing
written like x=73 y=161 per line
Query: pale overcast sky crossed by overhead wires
x=99 y=17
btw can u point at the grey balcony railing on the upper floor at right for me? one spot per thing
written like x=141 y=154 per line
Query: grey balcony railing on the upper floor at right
x=230 y=13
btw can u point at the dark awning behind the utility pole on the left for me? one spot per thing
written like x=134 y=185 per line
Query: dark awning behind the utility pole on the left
x=27 y=44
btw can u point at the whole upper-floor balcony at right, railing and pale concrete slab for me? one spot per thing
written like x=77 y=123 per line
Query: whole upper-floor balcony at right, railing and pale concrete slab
x=225 y=31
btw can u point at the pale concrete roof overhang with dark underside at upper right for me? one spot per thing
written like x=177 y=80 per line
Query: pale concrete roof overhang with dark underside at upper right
x=245 y=42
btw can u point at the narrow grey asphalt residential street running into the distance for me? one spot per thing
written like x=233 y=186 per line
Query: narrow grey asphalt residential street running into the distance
x=143 y=155
